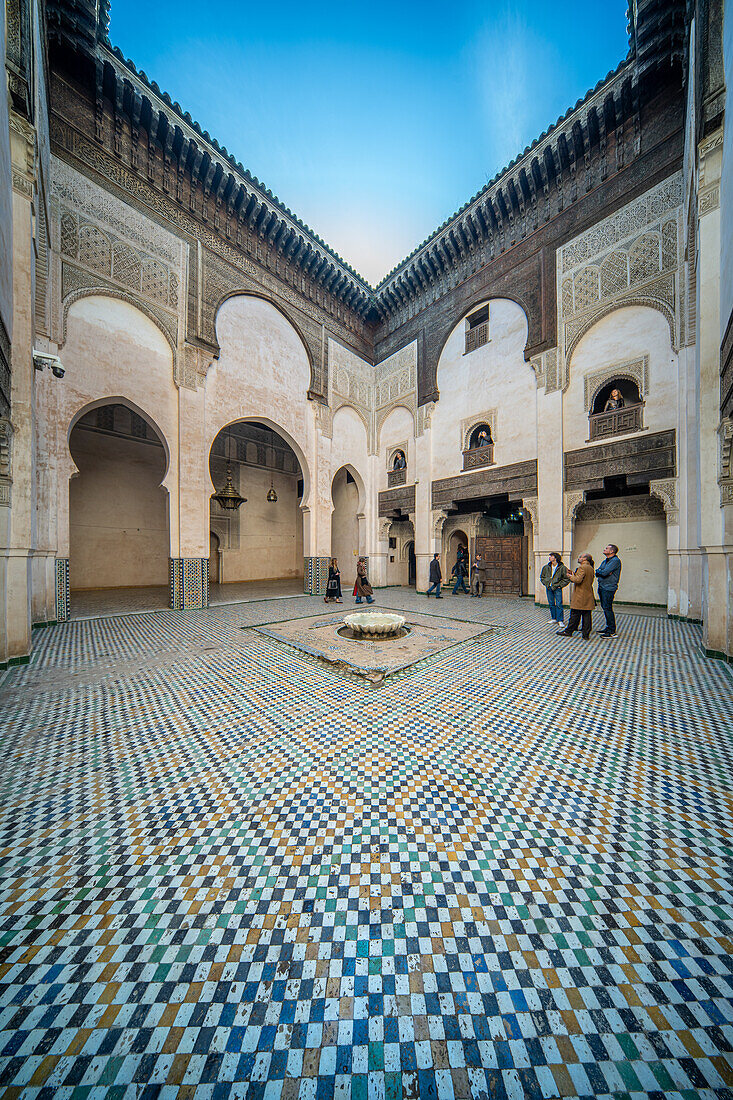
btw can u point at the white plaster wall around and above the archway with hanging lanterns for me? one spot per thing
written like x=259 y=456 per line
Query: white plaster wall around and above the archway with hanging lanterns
x=264 y=375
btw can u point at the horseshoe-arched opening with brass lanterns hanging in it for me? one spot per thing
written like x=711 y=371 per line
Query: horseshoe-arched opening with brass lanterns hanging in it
x=261 y=541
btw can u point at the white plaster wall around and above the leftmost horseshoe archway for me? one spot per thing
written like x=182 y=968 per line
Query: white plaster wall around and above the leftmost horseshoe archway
x=114 y=353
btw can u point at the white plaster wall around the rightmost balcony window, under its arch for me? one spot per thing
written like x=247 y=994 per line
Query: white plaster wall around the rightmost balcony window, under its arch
x=625 y=335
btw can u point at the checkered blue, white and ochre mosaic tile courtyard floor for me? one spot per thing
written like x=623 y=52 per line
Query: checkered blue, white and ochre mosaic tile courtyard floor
x=231 y=872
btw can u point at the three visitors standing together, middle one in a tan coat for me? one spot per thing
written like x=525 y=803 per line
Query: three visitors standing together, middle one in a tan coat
x=556 y=577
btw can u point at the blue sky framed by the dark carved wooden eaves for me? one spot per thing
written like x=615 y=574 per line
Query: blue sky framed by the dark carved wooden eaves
x=374 y=123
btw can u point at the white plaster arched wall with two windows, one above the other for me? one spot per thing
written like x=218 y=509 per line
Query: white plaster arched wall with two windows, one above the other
x=495 y=377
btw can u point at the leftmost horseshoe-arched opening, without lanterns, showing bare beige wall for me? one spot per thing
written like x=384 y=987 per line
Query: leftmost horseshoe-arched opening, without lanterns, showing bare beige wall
x=118 y=507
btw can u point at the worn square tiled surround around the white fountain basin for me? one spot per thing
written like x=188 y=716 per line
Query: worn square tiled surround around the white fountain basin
x=374 y=658
